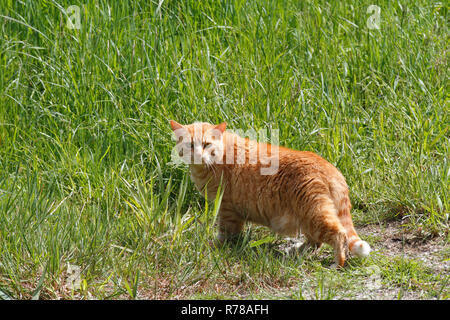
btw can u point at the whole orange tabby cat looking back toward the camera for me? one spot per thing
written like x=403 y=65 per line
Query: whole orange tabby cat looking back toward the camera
x=305 y=193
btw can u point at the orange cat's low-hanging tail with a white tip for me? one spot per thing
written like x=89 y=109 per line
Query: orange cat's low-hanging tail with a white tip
x=356 y=246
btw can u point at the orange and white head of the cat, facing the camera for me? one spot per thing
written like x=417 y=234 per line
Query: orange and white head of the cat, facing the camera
x=200 y=142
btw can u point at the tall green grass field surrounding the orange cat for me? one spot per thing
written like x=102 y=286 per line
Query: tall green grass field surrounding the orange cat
x=85 y=142
